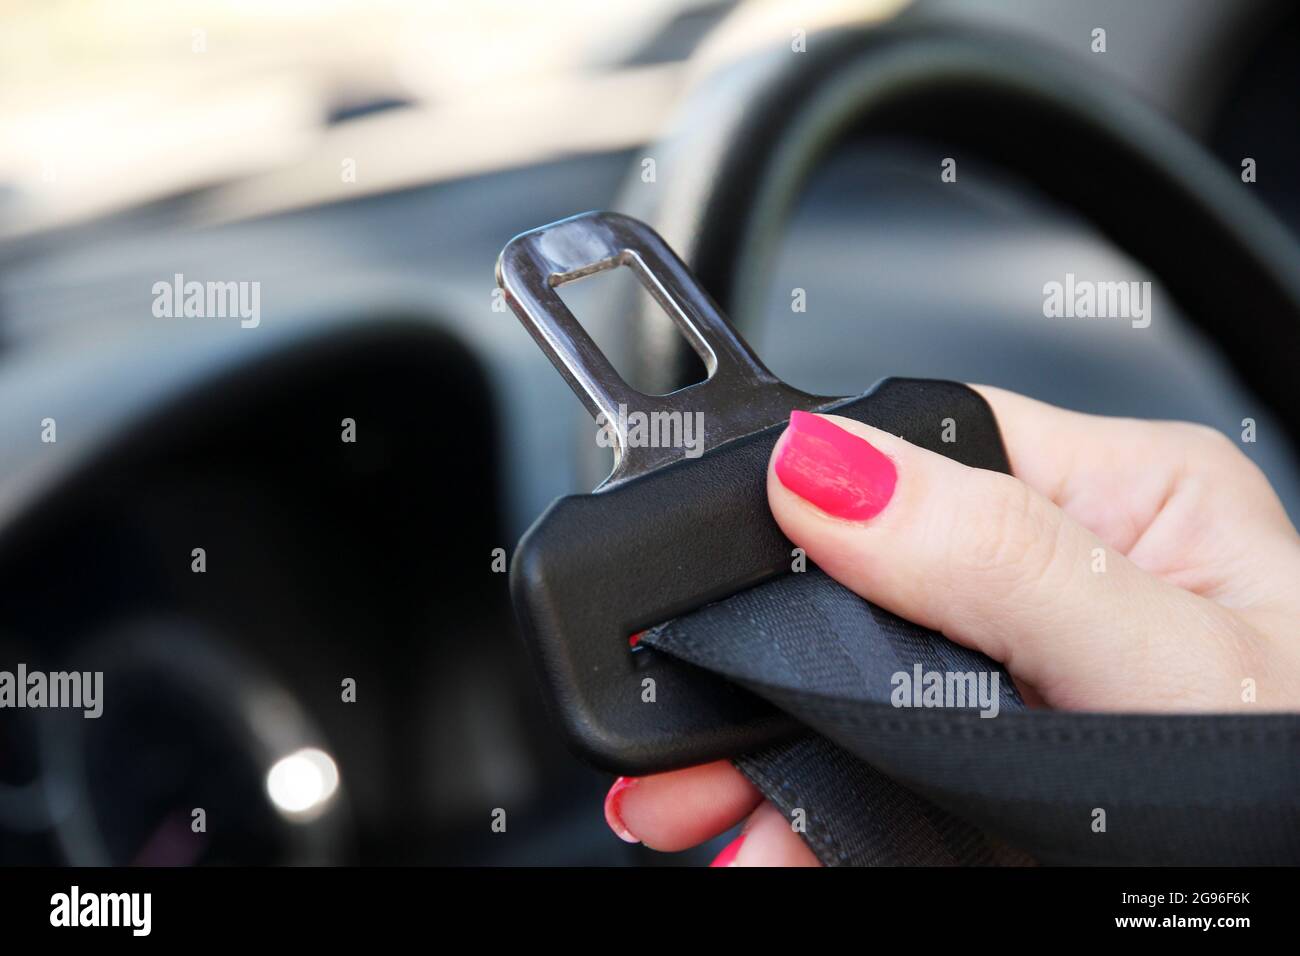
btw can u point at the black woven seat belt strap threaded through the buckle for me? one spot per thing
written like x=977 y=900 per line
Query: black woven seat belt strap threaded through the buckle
x=1061 y=788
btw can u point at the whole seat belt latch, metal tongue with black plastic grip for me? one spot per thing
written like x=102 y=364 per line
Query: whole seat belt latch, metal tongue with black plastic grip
x=673 y=529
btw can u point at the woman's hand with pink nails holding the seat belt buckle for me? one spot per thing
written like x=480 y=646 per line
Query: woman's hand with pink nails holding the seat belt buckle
x=1128 y=566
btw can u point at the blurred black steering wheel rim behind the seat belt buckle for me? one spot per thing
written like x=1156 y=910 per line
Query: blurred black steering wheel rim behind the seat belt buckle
x=752 y=135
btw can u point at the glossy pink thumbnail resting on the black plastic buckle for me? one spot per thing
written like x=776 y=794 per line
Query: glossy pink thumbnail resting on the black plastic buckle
x=835 y=470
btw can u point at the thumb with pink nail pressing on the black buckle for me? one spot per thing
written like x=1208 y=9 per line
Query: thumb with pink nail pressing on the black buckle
x=995 y=566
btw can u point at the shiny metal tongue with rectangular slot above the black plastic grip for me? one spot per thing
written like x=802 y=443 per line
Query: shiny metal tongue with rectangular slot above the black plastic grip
x=739 y=397
